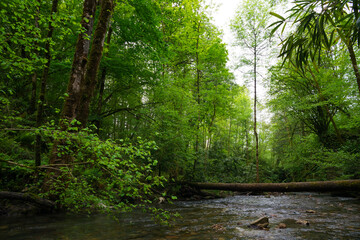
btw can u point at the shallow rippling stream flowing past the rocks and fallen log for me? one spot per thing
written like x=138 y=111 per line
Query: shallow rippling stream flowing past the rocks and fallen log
x=225 y=218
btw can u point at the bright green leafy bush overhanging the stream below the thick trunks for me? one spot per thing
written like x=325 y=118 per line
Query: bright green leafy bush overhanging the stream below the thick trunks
x=102 y=175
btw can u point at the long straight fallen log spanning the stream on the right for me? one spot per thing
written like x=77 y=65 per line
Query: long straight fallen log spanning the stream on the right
x=319 y=186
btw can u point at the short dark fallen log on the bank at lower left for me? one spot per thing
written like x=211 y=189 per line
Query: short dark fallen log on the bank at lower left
x=27 y=198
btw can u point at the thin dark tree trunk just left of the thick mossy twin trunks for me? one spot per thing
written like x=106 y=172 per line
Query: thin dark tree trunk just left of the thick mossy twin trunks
x=44 y=78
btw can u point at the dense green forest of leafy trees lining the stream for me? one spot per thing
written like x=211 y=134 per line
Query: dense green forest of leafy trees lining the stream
x=110 y=103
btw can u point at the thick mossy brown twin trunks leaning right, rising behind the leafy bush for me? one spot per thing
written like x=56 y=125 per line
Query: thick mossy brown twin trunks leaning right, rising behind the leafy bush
x=84 y=71
